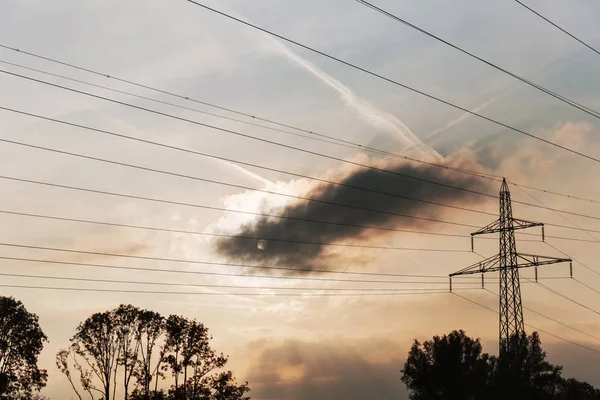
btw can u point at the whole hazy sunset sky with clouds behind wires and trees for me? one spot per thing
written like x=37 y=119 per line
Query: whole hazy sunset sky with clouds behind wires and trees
x=298 y=347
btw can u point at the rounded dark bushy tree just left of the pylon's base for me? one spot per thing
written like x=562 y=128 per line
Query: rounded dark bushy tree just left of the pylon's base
x=449 y=367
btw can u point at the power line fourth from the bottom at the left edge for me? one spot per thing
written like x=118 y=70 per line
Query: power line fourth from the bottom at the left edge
x=188 y=261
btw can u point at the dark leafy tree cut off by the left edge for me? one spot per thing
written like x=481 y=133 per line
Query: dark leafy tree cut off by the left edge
x=21 y=341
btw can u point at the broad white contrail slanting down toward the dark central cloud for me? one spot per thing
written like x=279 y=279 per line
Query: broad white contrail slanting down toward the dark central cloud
x=370 y=114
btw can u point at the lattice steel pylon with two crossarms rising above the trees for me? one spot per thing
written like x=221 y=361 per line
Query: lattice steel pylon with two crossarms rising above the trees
x=508 y=262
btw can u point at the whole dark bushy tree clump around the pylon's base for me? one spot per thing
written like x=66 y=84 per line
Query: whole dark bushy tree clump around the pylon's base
x=455 y=367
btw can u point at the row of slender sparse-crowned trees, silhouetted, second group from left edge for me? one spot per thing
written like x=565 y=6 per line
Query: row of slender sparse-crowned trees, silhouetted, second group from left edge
x=138 y=347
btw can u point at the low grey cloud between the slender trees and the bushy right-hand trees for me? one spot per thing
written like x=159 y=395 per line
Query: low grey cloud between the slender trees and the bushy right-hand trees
x=296 y=370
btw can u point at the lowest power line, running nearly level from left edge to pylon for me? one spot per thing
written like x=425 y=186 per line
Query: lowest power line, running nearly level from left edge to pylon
x=216 y=293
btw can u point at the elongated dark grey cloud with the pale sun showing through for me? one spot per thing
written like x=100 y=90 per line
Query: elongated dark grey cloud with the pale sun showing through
x=309 y=256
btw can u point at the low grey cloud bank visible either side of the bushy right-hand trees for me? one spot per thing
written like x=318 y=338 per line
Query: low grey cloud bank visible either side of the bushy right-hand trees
x=367 y=368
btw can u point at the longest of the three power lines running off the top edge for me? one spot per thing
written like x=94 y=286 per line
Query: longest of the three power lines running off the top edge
x=396 y=82
